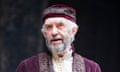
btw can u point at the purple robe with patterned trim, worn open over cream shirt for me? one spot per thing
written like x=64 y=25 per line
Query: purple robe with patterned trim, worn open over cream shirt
x=43 y=63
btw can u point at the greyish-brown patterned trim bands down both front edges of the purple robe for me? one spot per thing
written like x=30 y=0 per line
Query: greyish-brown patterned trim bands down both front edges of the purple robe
x=46 y=63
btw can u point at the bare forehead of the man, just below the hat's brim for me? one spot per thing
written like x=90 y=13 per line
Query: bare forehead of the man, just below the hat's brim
x=55 y=20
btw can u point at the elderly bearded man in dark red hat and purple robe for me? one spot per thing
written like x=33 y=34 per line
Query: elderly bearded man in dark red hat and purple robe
x=59 y=29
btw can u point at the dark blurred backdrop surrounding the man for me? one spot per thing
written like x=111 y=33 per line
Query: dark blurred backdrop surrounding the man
x=20 y=36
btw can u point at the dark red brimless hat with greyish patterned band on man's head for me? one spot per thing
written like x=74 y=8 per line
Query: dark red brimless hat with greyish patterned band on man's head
x=60 y=10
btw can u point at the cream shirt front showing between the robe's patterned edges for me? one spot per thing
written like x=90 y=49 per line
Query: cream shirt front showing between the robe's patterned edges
x=63 y=63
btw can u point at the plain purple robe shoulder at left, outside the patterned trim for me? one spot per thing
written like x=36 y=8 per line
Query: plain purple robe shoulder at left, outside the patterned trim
x=28 y=65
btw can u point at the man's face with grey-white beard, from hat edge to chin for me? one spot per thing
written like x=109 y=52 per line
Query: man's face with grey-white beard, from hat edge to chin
x=57 y=33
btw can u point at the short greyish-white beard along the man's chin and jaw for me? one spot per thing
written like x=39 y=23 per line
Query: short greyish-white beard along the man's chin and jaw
x=61 y=48
